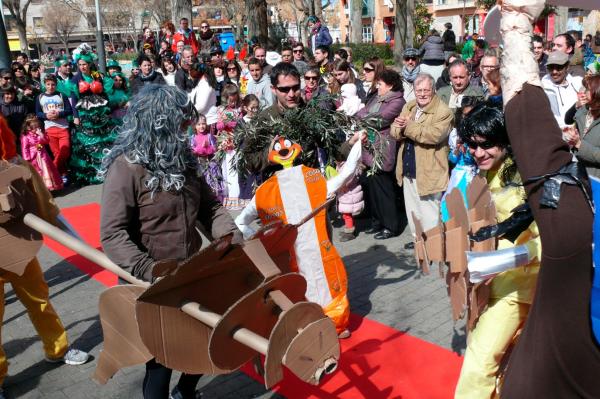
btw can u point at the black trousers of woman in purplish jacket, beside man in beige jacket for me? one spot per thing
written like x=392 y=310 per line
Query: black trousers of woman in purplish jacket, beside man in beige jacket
x=381 y=188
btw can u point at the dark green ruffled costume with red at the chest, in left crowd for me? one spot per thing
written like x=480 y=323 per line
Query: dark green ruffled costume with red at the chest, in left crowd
x=93 y=135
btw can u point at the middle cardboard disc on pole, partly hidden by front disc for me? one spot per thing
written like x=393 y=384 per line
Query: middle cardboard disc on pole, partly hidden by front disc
x=286 y=329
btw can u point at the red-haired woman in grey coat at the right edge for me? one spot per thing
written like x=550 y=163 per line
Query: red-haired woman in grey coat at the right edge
x=587 y=119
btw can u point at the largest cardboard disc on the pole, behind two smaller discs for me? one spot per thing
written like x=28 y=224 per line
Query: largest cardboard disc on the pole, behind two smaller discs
x=256 y=312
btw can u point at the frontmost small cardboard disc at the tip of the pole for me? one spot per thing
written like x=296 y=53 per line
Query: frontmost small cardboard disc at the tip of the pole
x=317 y=344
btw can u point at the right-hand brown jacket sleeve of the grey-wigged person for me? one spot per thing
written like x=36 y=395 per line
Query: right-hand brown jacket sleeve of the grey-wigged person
x=214 y=217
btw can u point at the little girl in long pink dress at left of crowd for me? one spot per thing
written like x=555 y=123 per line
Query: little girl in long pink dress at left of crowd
x=33 y=142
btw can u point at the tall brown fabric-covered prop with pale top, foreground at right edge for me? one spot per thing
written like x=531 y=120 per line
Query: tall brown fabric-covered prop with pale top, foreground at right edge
x=556 y=355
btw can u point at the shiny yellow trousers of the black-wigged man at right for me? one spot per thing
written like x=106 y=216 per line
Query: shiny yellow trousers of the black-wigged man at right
x=487 y=344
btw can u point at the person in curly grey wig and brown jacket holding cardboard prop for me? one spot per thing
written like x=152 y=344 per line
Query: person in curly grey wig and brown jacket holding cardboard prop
x=152 y=199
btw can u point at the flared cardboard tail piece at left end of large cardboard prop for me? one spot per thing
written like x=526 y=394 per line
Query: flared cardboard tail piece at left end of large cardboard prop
x=123 y=346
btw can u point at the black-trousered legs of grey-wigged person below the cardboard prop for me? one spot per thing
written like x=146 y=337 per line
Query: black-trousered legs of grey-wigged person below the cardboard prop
x=157 y=379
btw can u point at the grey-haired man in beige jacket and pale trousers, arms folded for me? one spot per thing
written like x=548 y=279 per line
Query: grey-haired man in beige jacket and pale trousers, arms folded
x=422 y=165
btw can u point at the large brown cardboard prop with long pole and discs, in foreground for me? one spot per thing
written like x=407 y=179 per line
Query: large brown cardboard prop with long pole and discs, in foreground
x=187 y=321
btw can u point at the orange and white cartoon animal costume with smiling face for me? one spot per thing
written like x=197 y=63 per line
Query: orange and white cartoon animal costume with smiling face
x=287 y=196
